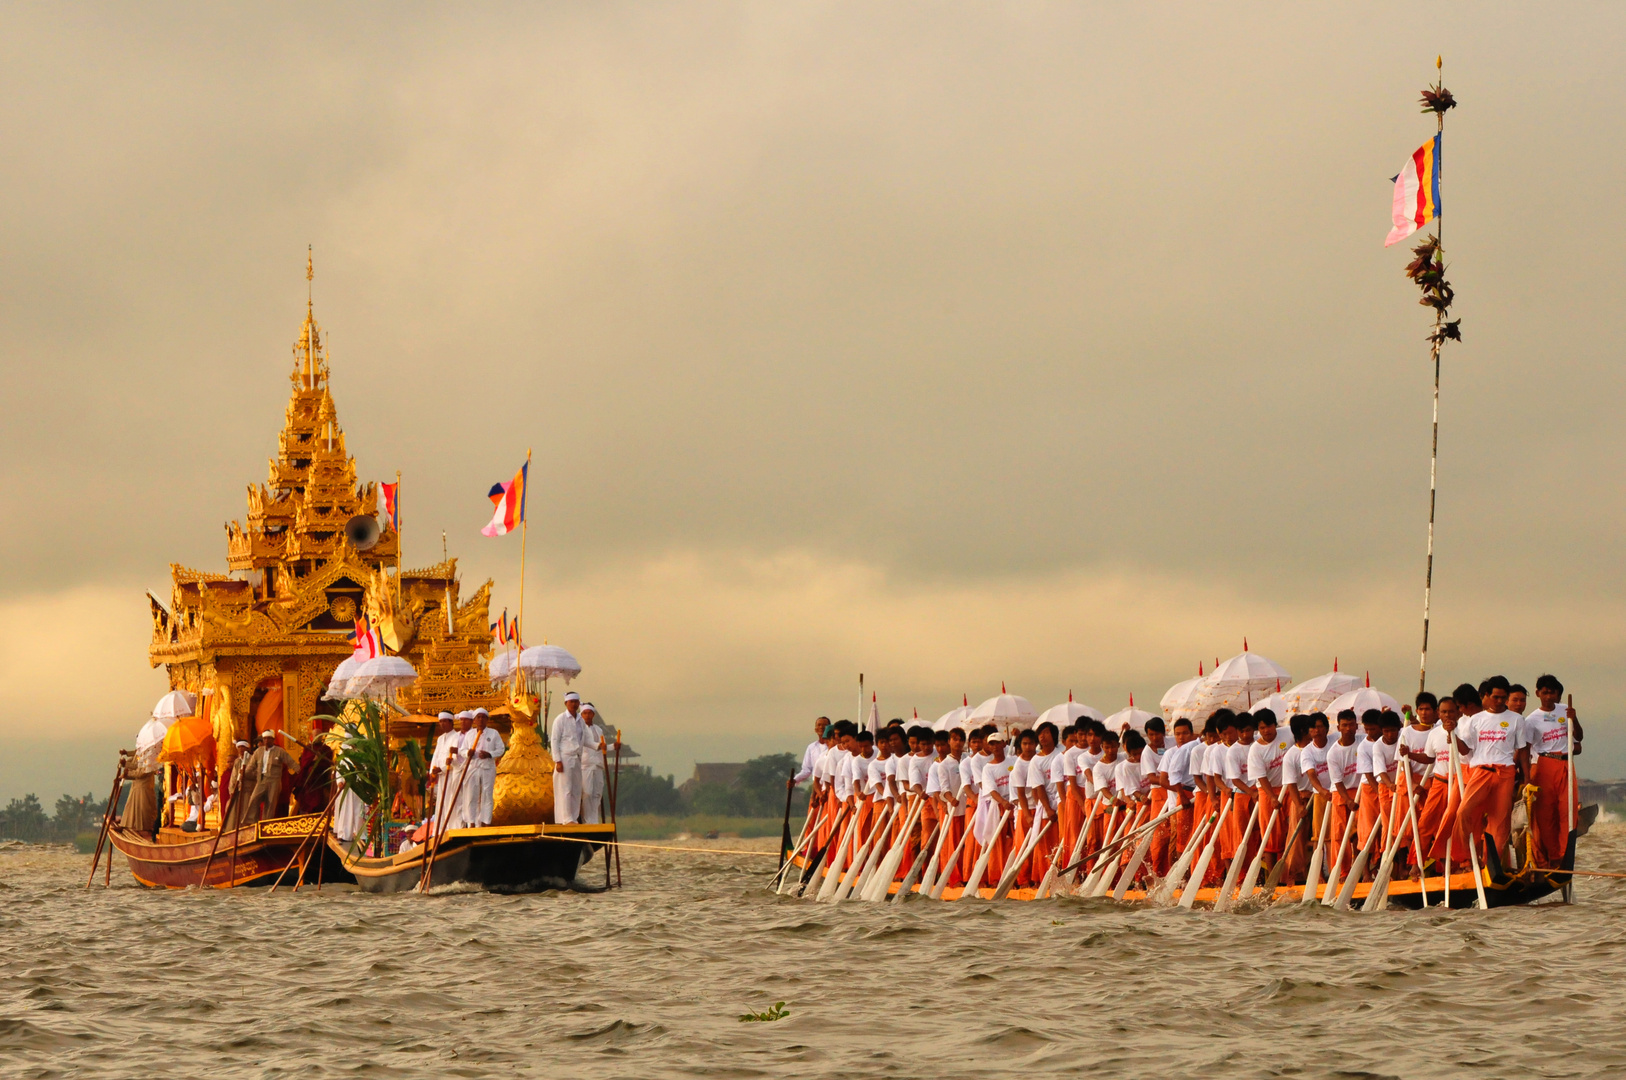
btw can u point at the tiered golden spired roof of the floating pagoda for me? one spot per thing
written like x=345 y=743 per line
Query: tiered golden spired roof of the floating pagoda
x=280 y=621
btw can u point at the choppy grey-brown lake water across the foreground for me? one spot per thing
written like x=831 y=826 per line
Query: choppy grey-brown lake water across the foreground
x=651 y=980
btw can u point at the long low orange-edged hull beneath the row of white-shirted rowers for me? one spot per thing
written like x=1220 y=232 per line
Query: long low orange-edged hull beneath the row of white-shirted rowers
x=1502 y=889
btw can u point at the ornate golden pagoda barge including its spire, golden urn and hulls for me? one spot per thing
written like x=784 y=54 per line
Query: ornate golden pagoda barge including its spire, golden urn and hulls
x=258 y=650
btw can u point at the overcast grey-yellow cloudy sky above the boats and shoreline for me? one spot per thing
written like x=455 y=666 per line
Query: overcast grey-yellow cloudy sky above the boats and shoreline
x=1041 y=344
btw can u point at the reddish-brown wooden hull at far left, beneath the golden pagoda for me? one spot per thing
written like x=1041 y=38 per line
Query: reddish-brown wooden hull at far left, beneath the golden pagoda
x=251 y=855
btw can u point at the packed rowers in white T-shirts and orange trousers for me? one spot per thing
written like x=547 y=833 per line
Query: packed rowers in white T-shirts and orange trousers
x=1310 y=795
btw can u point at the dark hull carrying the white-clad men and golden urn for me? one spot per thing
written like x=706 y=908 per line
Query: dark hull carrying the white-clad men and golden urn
x=502 y=860
